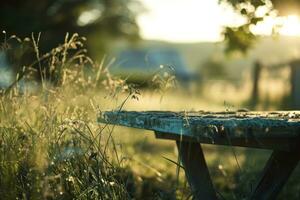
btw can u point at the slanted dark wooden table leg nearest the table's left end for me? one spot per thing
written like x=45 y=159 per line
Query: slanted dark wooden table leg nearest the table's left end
x=196 y=170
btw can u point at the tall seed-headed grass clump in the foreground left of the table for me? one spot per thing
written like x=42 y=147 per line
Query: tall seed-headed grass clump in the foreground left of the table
x=50 y=147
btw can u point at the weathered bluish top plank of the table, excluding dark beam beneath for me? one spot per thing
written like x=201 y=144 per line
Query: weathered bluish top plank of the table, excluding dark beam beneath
x=236 y=125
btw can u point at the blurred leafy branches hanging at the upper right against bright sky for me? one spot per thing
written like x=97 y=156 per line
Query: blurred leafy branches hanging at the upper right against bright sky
x=254 y=11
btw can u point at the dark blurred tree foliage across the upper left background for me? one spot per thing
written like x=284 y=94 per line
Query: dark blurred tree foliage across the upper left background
x=113 y=18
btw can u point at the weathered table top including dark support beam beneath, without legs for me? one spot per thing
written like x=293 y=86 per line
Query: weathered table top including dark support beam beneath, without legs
x=279 y=130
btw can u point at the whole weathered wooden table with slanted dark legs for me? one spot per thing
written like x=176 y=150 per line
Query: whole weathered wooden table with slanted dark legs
x=277 y=131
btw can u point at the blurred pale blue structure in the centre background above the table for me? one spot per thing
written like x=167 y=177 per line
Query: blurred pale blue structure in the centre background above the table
x=139 y=65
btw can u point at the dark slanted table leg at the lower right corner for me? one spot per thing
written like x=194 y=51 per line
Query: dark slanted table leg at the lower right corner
x=275 y=174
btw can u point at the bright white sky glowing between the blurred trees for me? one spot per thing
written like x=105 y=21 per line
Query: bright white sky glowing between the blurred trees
x=199 y=20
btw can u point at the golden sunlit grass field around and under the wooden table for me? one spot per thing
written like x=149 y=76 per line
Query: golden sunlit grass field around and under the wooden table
x=51 y=146
